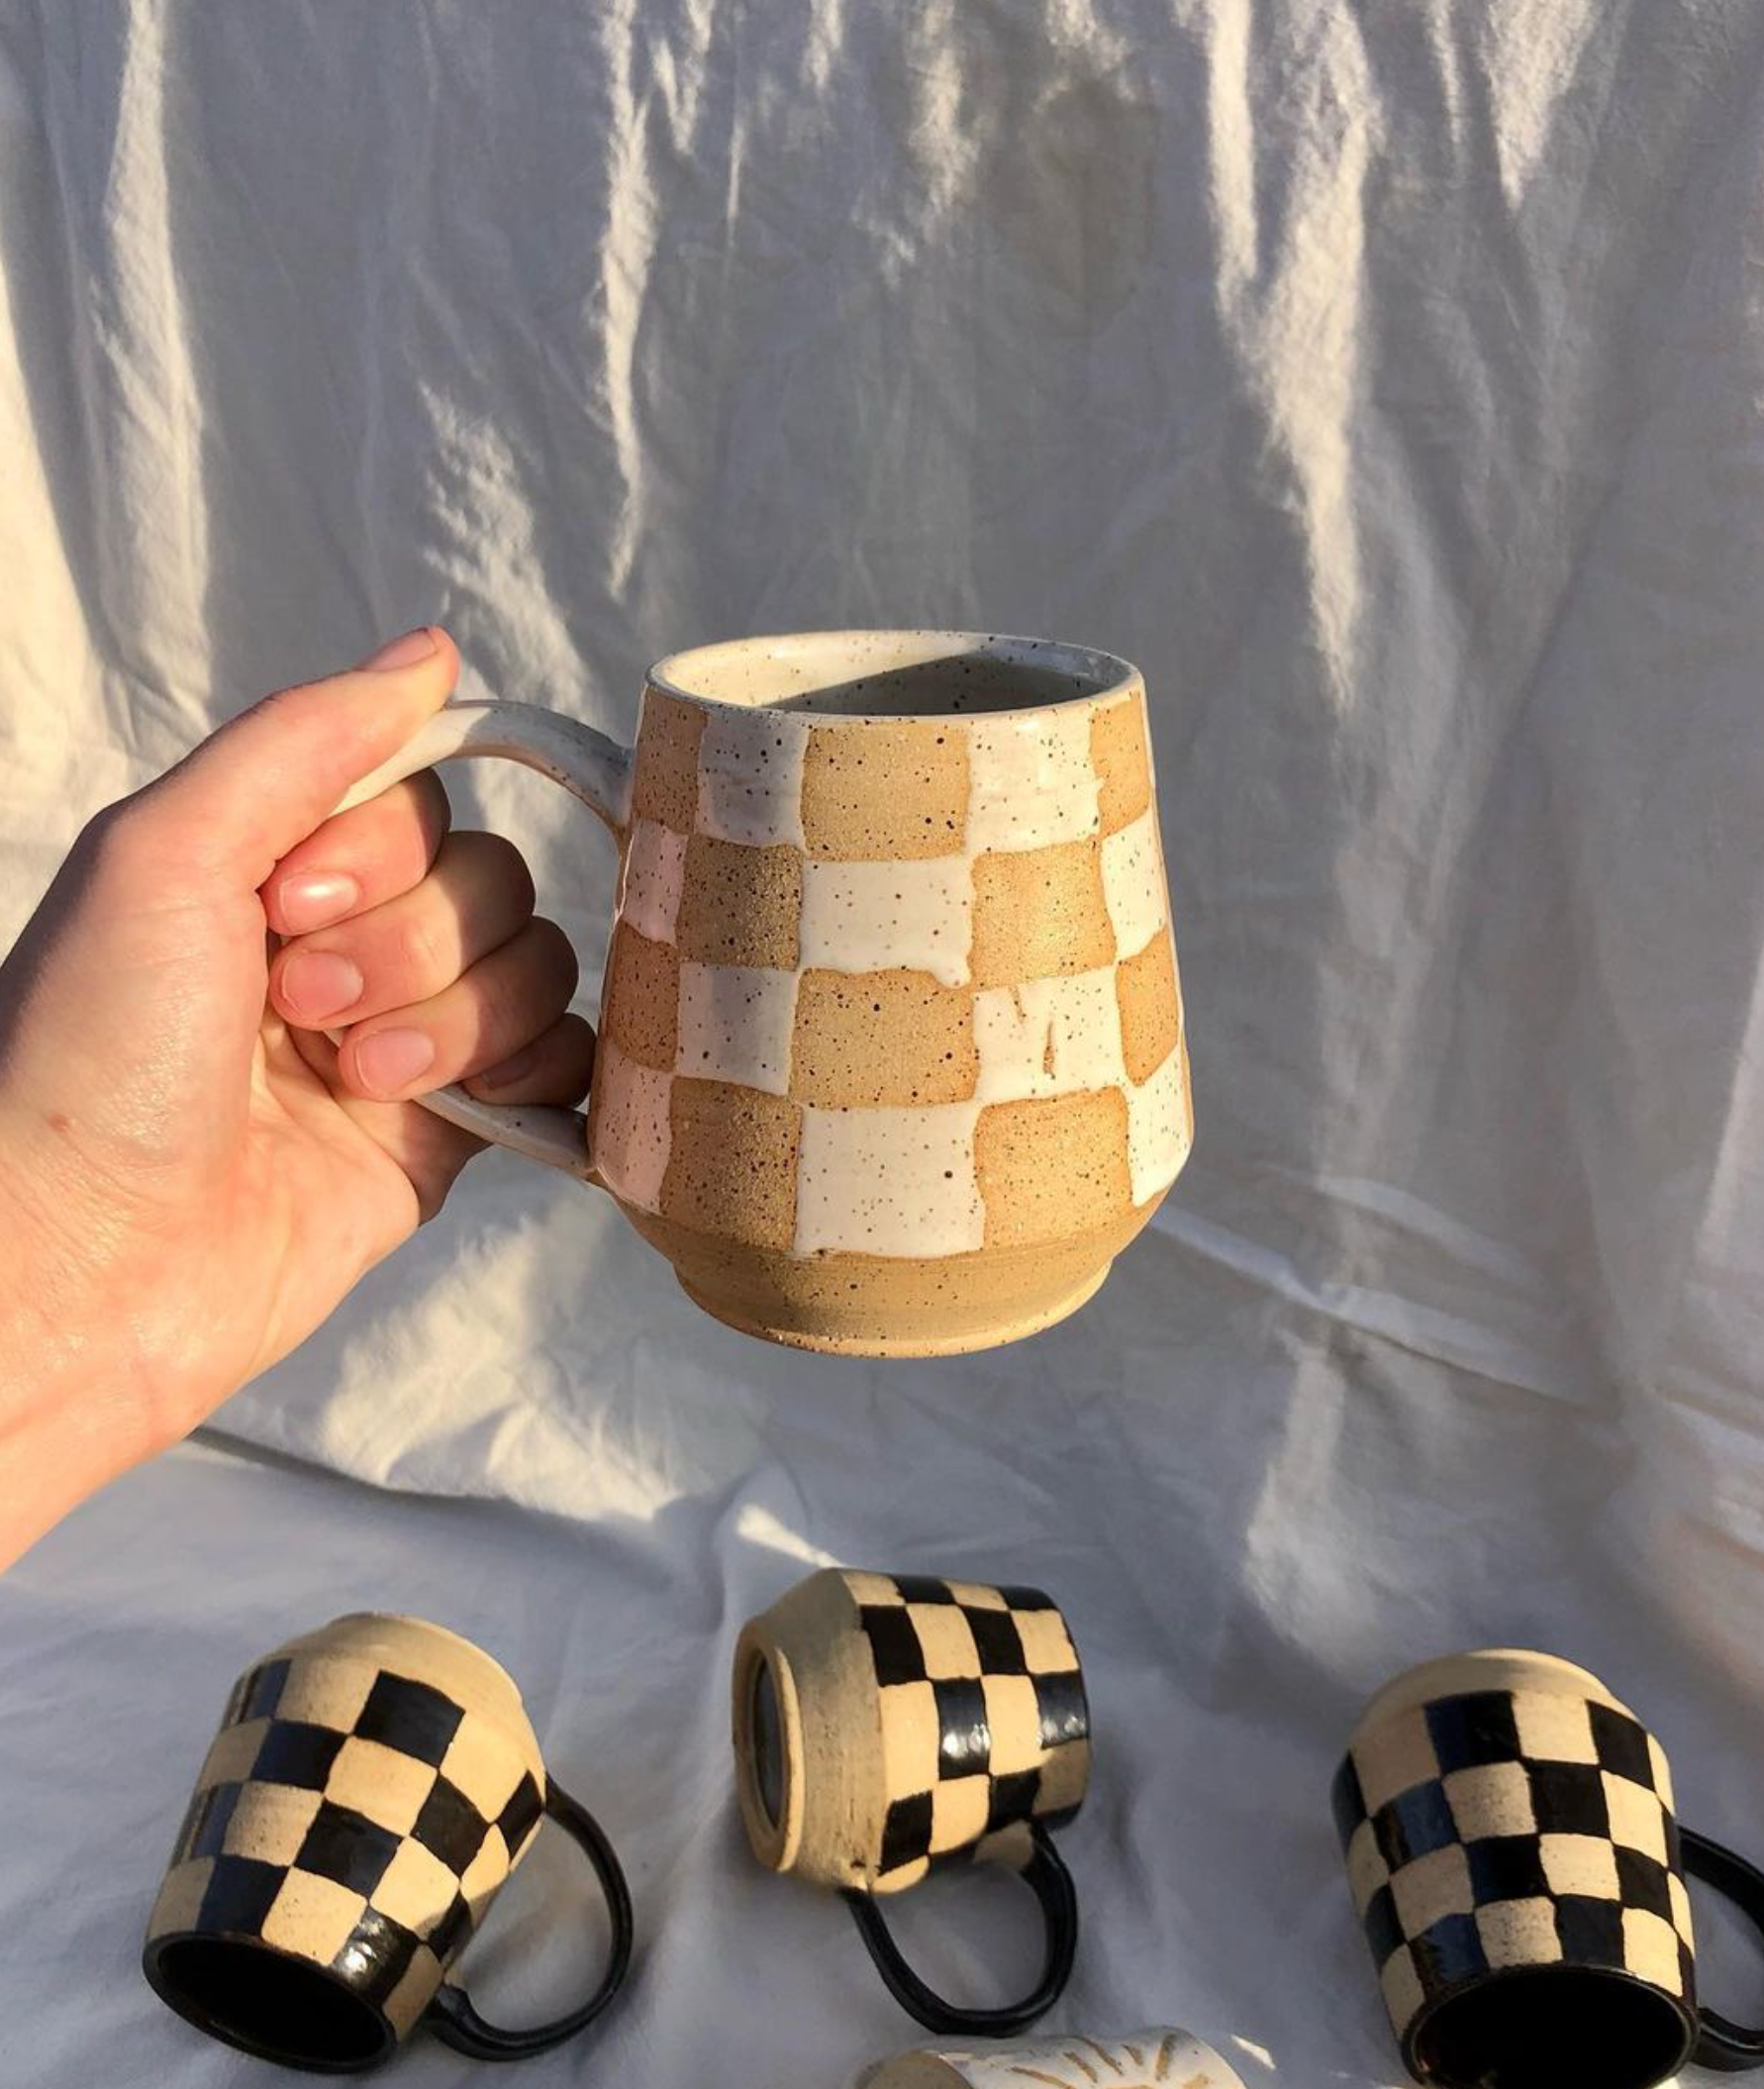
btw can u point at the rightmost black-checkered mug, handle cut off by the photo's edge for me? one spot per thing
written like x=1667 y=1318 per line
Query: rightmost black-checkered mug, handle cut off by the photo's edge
x=1521 y=1877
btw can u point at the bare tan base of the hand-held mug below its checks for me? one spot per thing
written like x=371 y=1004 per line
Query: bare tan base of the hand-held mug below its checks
x=851 y=1305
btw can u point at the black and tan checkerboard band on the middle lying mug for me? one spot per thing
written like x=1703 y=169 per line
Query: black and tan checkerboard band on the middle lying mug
x=984 y=1720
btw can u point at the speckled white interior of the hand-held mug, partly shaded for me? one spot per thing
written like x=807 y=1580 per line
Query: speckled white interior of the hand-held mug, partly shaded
x=890 y=674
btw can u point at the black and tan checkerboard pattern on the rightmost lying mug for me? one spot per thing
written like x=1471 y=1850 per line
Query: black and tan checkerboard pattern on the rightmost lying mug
x=1512 y=1829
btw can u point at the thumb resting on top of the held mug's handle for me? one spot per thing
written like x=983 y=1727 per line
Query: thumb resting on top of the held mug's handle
x=270 y=776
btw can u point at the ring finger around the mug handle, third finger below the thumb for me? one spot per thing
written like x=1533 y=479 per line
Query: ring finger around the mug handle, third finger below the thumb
x=500 y=1006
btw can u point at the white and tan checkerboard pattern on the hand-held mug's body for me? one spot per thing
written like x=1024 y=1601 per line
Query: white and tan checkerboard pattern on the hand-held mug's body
x=913 y=1023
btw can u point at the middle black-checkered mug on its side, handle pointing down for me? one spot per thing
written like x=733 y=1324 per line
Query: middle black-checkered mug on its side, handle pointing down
x=888 y=1727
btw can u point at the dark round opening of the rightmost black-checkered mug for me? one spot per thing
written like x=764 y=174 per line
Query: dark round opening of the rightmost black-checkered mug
x=1540 y=2027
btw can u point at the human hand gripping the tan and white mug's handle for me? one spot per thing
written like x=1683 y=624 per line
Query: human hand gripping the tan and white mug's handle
x=193 y=1173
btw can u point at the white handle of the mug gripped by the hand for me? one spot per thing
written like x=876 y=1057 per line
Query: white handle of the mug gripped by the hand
x=592 y=768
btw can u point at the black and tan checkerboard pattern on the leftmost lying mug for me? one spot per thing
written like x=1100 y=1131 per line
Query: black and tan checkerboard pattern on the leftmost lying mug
x=354 y=1818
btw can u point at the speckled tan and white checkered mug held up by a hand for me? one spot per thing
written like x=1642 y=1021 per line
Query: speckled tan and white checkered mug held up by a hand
x=890 y=1037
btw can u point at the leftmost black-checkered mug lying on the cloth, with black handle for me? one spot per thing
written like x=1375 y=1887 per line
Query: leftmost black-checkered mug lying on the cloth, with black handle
x=371 y=1791
